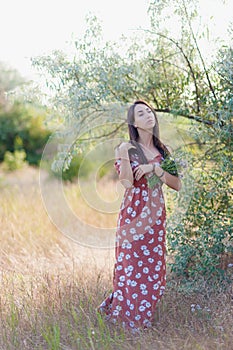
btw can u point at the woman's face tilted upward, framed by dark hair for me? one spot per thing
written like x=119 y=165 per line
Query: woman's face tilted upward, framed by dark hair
x=143 y=117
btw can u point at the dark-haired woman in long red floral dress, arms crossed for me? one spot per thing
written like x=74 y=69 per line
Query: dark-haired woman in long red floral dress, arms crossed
x=140 y=270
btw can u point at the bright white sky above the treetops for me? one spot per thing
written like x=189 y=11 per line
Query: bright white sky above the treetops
x=30 y=28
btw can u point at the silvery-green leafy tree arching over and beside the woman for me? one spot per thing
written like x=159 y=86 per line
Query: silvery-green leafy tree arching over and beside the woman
x=171 y=73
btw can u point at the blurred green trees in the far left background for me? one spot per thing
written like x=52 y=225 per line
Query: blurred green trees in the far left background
x=21 y=125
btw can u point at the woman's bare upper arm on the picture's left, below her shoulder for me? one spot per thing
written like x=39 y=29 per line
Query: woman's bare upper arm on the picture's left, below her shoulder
x=126 y=173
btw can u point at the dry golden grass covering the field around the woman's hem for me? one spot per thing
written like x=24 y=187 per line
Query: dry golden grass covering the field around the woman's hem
x=50 y=288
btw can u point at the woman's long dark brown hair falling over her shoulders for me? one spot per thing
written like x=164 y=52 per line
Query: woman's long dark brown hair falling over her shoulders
x=134 y=136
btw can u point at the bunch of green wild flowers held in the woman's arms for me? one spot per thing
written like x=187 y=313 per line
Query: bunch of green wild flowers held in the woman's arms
x=170 y=165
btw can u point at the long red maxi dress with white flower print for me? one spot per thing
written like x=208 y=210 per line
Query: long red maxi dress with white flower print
x=140 y=269
